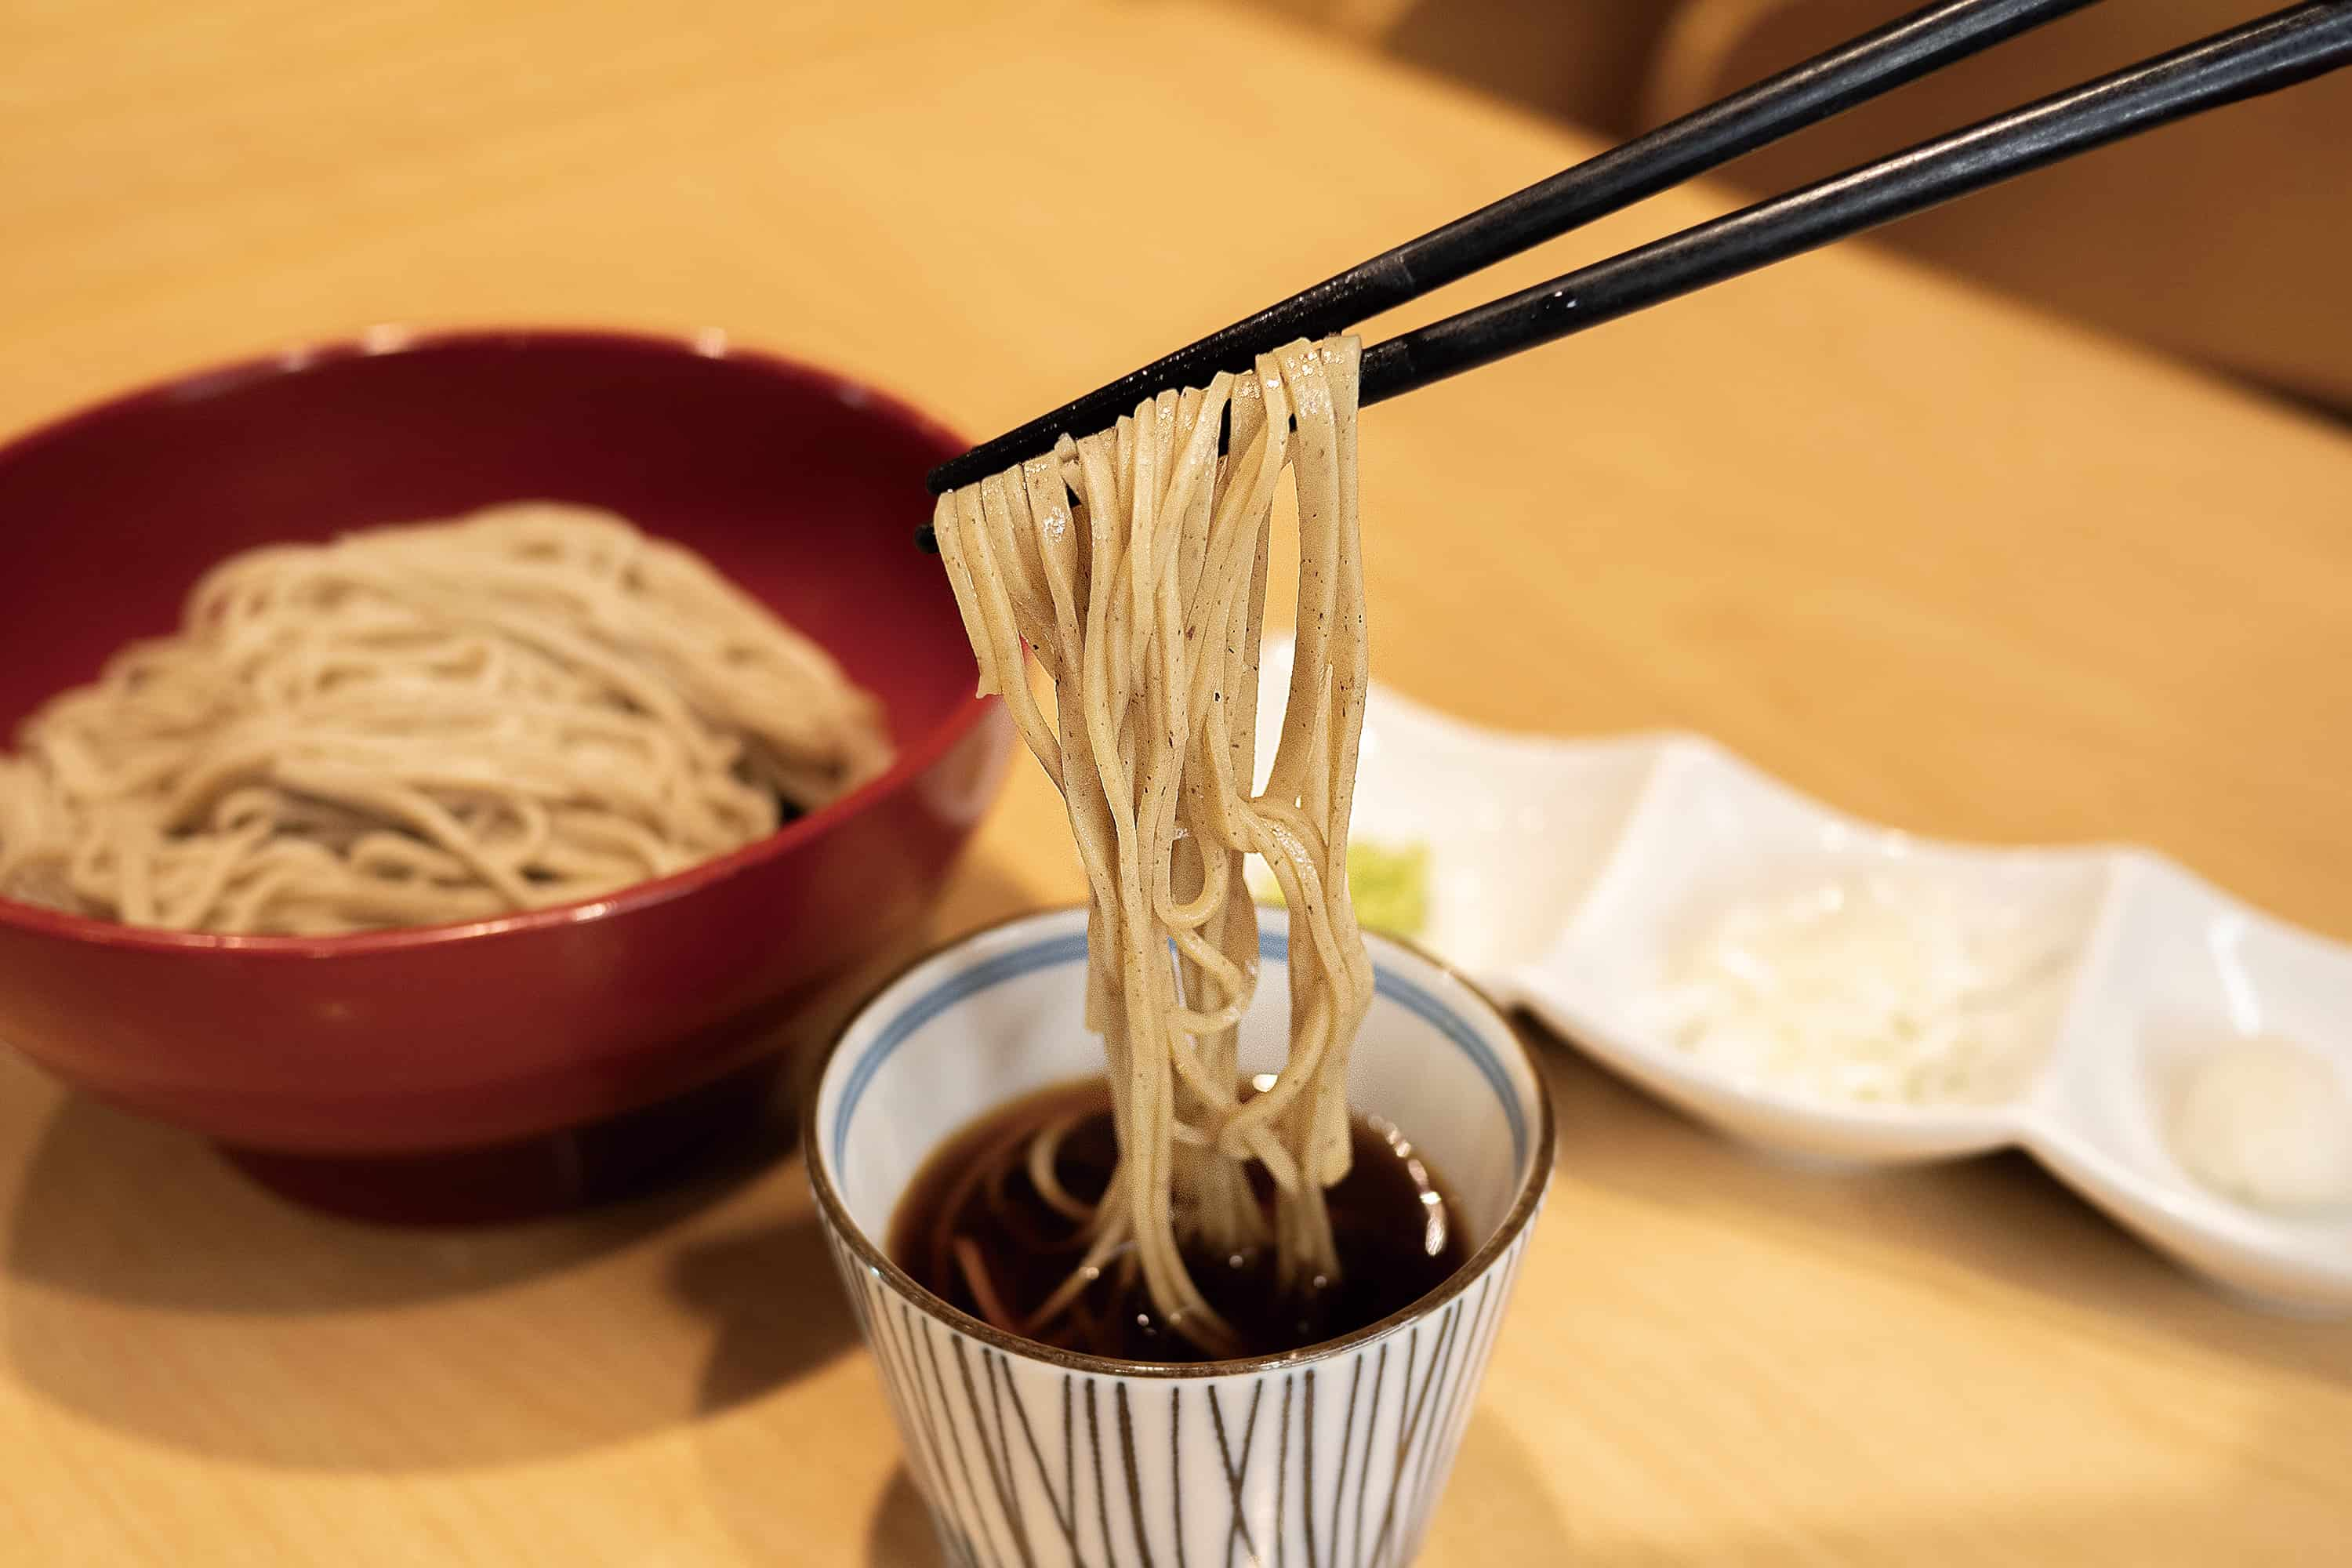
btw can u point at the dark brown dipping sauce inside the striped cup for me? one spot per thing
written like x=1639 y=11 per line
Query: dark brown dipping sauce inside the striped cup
x=1398 y=1238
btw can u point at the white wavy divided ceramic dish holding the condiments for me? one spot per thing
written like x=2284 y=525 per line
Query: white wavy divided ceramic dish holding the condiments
x=1568 y=871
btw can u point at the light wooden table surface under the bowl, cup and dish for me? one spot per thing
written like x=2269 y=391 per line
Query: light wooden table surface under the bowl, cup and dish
x=1932 y=558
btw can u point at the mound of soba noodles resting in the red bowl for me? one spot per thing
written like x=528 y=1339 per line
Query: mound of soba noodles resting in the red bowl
x=429 y=723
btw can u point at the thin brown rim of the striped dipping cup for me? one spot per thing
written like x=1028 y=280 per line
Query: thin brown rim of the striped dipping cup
x=1523 y=1207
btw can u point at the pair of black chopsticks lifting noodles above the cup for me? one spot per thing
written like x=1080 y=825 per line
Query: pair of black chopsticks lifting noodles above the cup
x=2252 y=60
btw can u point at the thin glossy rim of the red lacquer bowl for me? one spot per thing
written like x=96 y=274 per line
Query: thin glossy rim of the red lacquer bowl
x=396 y=340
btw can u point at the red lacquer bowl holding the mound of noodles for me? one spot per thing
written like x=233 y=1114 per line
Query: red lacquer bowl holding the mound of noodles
x=799 y=485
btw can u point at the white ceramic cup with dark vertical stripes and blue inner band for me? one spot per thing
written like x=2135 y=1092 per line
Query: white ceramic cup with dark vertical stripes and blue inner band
x=1041 y=1459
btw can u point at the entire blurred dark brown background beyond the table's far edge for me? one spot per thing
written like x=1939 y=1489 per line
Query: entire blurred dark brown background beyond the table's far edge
x=2224 y=241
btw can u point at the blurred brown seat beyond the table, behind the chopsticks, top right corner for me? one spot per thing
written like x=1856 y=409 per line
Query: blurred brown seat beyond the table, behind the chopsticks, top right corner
x=2221 y=239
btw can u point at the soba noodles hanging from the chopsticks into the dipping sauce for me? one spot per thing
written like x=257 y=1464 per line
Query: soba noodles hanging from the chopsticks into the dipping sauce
x=1144 y=601
